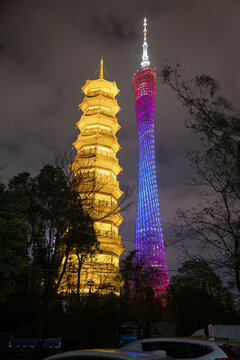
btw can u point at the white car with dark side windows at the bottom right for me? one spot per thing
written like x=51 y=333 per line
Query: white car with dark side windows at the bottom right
x=180 y=348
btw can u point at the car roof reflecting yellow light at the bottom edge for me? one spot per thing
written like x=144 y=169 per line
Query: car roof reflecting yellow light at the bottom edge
x=105 y=354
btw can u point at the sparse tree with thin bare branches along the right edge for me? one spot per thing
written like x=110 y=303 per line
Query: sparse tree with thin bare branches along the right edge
x=215 y=221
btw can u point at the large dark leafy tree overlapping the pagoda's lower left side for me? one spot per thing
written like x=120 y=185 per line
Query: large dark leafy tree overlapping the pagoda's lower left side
x=56 y=226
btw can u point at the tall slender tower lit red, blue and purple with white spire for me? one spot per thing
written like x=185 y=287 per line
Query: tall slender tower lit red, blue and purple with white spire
x=149 y=237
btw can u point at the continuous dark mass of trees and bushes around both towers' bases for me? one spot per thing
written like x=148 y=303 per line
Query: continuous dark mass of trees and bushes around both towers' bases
x=30 y=304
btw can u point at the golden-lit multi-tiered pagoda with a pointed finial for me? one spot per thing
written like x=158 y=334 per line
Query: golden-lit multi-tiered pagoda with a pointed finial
x=97 y=166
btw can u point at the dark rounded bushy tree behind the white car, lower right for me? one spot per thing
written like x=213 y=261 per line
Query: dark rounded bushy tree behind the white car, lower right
x=197 y=297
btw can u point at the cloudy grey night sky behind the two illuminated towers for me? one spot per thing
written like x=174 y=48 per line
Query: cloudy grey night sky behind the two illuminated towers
x=49 y=48
